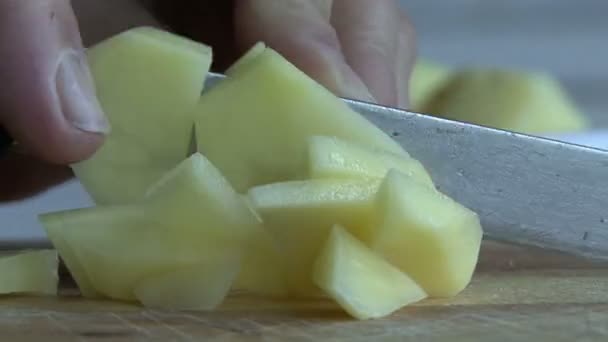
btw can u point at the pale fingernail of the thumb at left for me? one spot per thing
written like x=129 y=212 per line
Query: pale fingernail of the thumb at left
x=76 y=94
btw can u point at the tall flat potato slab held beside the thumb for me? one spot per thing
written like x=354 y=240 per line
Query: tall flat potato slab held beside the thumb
x=147 y=82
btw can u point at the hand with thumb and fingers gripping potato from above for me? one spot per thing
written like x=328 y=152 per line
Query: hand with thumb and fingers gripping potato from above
x=358 y=49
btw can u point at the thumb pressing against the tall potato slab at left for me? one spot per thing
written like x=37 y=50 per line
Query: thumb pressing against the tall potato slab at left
x=48 y=103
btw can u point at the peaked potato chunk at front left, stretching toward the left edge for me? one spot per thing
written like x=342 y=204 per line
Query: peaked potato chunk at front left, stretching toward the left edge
x=191 y=216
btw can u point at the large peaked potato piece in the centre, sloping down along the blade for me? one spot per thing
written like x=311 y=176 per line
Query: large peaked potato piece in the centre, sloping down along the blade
x=254 y=126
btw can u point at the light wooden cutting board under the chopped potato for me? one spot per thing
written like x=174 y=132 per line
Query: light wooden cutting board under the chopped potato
x=517 y=295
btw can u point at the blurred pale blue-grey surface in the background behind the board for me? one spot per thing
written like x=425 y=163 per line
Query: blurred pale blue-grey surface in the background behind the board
x=565 y=37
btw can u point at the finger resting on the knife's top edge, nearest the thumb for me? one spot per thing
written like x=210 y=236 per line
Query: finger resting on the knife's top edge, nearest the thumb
x=300 y=31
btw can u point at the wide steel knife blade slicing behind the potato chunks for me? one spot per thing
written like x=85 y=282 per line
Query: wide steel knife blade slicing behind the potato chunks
x=526 y=190
